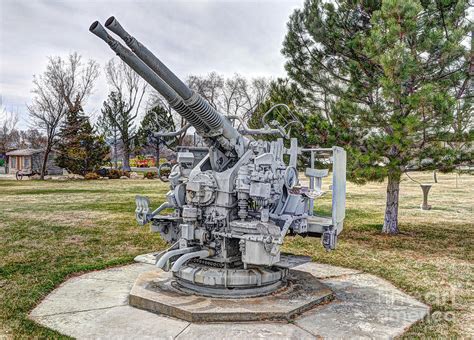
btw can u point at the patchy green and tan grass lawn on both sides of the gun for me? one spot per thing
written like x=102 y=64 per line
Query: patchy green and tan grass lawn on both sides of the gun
x=51 y=230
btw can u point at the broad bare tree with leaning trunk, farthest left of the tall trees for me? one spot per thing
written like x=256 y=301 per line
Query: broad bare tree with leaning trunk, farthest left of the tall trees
x=62 y=88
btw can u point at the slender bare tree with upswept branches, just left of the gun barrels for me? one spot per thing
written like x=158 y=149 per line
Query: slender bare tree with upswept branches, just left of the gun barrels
x=129 y=89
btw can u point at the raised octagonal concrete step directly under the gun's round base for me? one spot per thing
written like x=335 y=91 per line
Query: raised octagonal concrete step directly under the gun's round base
x=153 y=291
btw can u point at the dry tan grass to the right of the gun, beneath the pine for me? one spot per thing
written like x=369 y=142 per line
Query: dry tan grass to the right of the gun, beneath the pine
x=432 y=258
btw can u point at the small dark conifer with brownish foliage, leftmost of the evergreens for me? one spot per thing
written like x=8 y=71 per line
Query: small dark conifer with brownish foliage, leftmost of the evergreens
x=80 y=150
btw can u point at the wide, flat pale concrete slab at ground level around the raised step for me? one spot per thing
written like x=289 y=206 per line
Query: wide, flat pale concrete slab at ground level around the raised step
x=95 y=305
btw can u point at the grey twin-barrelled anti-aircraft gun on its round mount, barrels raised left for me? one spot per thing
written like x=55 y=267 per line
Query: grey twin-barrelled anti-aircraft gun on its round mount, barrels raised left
x=233 y=207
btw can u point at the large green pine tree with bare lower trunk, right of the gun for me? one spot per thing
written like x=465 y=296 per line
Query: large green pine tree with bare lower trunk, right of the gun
x=383 y=79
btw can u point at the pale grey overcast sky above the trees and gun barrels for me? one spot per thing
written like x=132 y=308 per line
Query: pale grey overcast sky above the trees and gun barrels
x=191 y=37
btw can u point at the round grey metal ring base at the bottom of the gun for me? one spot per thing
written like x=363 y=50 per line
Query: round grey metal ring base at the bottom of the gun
x=197 y=278
